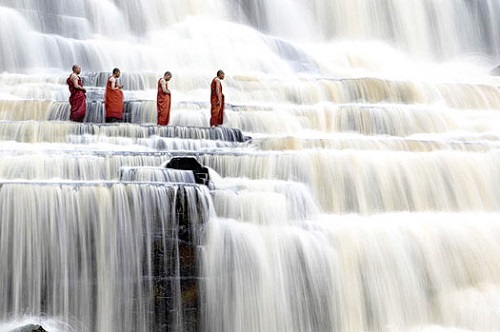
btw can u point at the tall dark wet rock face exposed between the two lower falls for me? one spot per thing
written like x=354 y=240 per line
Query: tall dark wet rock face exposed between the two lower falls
x=175 y=276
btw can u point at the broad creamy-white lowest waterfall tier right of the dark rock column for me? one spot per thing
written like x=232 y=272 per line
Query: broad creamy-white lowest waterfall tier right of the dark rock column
x=392 y=272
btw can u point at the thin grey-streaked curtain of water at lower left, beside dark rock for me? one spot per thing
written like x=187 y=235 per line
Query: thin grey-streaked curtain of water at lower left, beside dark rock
x=96 y=252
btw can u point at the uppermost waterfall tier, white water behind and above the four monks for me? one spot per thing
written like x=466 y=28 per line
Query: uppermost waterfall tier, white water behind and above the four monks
x=138 y=35
